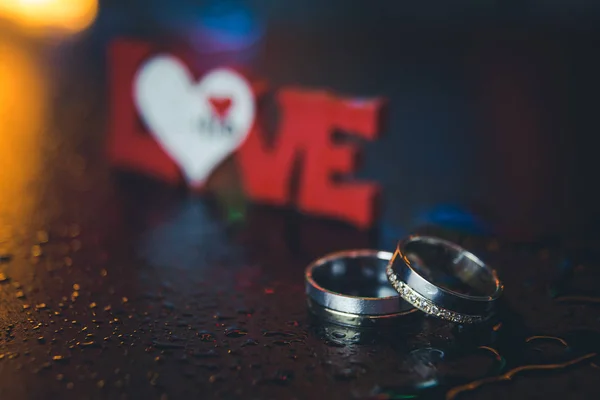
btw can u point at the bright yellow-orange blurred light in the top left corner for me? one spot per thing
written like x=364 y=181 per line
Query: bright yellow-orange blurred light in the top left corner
x=69 y=16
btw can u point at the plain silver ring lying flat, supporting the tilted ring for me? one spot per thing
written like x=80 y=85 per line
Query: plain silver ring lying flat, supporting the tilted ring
x=351 y=287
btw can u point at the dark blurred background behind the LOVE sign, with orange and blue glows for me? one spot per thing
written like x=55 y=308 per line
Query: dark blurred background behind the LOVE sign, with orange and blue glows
x=491 y=127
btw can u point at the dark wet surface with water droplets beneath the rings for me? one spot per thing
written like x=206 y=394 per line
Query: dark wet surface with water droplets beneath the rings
x=163 y=297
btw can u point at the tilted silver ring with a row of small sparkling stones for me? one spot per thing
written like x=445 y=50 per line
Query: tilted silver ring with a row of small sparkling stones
x=444 y=280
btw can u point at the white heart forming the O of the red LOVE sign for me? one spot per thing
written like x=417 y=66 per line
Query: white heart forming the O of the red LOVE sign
x=179 y=113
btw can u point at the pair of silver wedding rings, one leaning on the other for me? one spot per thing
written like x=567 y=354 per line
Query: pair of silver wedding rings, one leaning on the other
x=369 y=287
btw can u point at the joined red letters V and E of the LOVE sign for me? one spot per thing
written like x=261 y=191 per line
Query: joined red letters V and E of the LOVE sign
x=308 y=120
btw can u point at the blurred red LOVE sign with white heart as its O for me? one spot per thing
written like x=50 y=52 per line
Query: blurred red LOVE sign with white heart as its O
x=191 y=121
